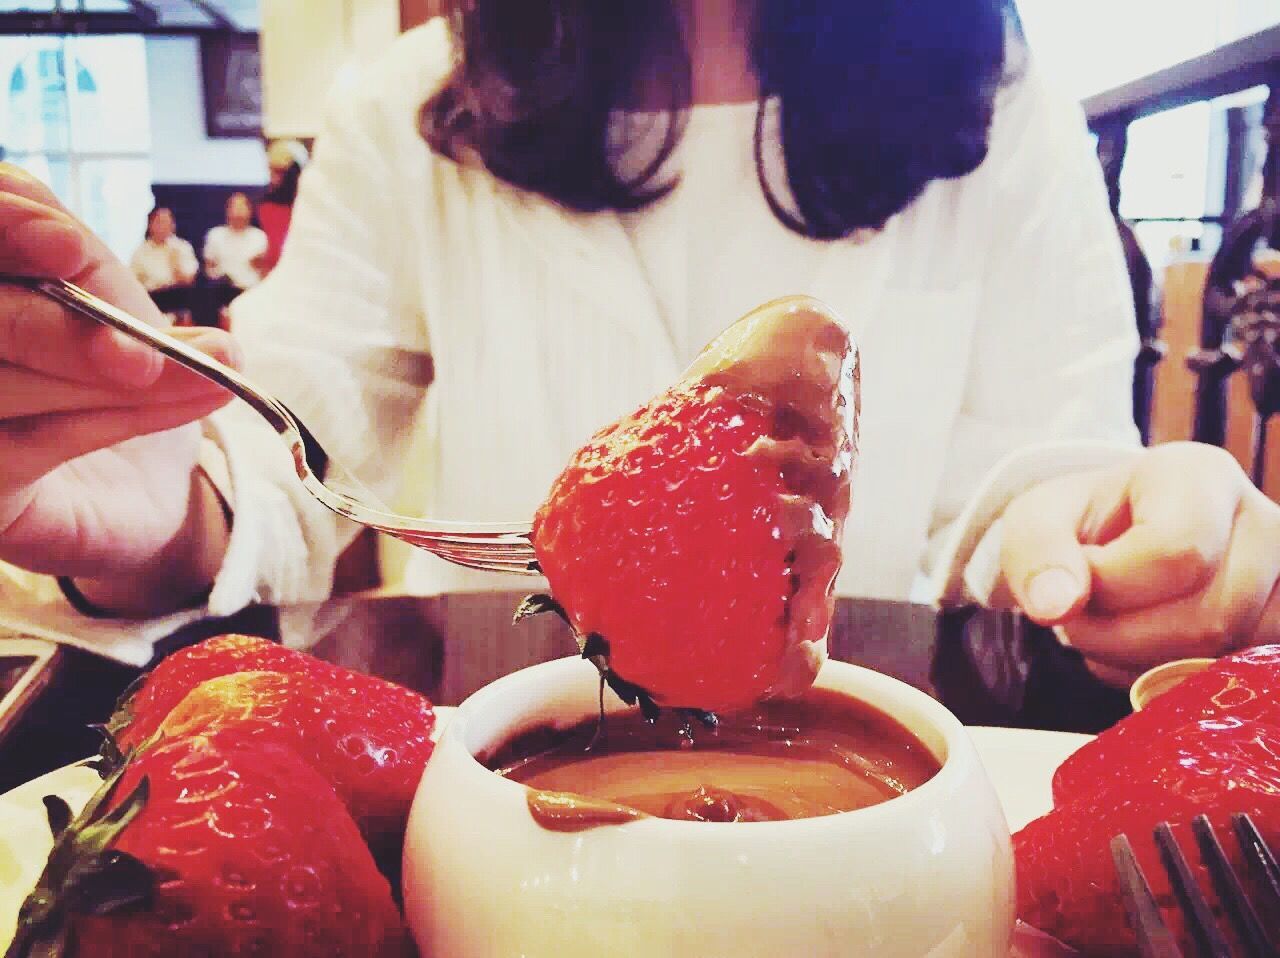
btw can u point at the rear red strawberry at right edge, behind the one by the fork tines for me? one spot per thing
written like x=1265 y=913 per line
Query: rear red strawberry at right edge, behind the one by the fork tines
x=1242 y=687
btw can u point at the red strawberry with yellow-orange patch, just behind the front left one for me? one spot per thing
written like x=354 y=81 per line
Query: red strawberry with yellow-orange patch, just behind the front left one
x=371 y=742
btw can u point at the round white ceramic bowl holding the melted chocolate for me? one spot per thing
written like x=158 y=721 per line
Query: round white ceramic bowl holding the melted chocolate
x=927 y=874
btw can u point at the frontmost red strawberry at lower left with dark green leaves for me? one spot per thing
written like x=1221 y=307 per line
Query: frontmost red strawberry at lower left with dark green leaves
x=205 y=846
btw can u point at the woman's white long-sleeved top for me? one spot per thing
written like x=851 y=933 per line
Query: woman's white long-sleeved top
x=994 y=317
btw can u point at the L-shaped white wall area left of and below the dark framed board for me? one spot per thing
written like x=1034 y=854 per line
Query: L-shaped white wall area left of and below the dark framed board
x=181 y=152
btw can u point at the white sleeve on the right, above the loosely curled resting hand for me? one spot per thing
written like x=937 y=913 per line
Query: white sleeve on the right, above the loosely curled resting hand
x=1050 y=385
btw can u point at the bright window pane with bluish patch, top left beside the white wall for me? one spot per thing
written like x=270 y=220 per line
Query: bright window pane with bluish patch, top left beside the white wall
x=107 y=85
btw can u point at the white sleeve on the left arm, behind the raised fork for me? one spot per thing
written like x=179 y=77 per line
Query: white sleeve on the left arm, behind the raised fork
x=330 y=334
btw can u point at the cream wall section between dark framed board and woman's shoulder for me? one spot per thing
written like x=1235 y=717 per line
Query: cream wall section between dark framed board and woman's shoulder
x=310 y=45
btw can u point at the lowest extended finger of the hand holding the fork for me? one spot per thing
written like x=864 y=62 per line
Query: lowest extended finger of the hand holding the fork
x=38 y=445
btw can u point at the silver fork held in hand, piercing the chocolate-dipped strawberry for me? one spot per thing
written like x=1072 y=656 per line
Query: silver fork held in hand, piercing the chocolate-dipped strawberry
x=493 y=548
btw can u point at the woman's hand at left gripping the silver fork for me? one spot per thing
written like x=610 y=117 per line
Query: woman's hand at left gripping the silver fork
x=89 y=485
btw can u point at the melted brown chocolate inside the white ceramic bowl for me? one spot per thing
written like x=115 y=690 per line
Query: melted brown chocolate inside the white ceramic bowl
x=817 y=755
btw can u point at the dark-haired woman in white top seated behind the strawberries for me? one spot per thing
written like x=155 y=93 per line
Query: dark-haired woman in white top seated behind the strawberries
x=563 y=220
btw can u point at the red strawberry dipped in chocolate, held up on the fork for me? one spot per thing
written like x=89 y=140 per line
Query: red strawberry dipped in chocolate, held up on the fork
x=694 y=545
